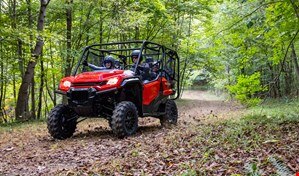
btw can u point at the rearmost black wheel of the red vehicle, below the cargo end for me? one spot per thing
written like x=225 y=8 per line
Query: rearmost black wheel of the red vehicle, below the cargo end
x=171 y=114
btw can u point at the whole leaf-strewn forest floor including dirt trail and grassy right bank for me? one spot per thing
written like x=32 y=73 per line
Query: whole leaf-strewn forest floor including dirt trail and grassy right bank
x=213 y=137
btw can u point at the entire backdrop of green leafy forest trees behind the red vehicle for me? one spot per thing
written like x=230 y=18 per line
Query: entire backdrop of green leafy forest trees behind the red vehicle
x=248 y=48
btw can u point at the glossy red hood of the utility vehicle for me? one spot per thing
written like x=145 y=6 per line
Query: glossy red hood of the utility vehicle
x=96 y=76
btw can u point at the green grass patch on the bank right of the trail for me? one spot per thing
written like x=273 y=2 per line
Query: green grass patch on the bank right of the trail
x=265 y=118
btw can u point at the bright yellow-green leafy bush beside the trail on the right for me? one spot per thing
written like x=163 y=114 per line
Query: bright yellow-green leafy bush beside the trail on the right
x=246 y=88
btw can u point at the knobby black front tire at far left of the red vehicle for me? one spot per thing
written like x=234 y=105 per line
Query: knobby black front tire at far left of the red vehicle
x=62 y=122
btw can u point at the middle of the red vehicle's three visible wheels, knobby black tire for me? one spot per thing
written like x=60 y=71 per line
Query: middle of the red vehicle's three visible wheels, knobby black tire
x=124 y=120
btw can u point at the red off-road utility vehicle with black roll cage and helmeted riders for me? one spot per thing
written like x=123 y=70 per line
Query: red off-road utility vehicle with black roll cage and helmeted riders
x=122 y=93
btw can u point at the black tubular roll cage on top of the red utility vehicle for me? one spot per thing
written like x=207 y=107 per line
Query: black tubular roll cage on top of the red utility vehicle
x=151 y=53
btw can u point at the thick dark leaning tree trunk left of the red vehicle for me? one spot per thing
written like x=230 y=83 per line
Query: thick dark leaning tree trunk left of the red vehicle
x=21 y=111
